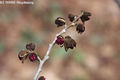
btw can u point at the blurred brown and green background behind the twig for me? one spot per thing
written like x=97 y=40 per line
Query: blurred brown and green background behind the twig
x=97 y=56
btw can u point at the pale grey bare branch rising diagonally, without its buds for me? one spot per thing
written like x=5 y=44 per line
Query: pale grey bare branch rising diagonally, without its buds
x=41 y=62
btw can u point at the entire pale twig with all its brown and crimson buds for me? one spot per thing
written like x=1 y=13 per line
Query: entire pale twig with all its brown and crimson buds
x=77 y=21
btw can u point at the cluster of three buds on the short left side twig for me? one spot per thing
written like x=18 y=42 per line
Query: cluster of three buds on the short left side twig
x=29 y=52
